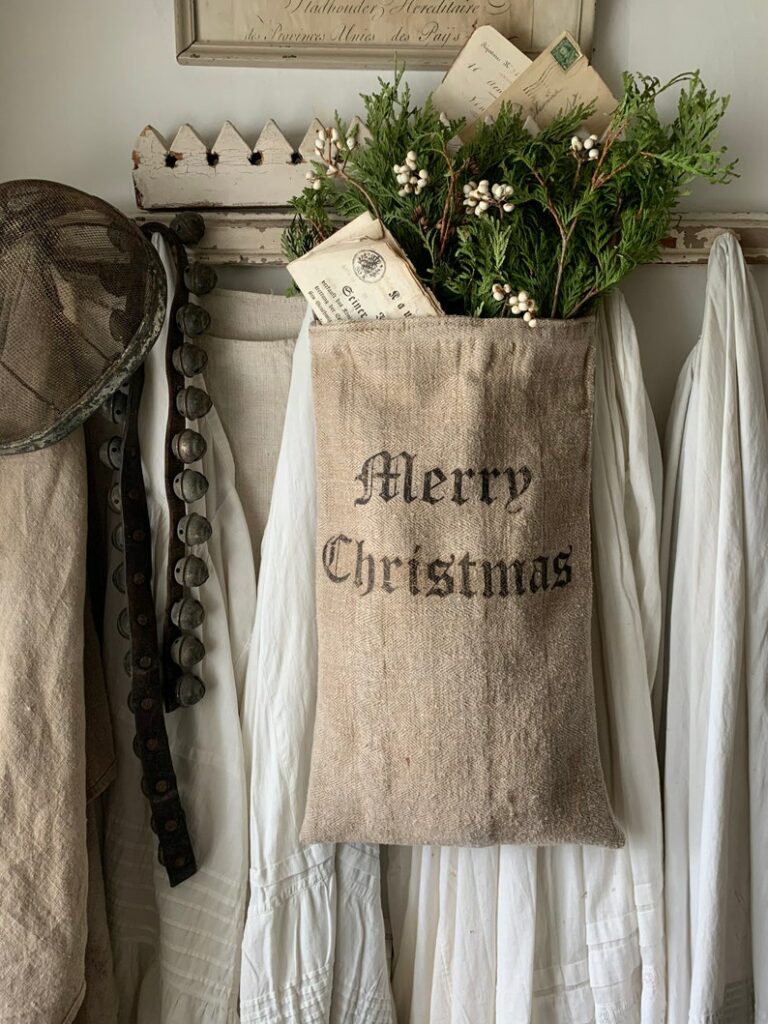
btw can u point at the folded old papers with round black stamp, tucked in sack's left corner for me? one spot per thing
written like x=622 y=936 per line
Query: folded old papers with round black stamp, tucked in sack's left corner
x=362 y=274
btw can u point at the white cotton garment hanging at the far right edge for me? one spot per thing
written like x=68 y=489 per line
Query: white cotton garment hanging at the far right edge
x=715 y=685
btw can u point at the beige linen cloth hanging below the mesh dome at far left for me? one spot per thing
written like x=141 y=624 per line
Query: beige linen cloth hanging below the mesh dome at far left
x=45 y=778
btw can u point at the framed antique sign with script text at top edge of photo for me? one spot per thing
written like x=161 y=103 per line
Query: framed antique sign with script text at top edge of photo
x=366 y=33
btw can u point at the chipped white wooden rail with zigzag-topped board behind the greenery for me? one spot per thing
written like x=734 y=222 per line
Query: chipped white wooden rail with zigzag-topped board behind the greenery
x=244 y=192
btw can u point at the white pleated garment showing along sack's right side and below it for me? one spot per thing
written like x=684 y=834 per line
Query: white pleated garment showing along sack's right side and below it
x=511 y=935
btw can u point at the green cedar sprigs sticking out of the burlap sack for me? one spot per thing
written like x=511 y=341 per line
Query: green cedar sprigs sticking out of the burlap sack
x=578 y=226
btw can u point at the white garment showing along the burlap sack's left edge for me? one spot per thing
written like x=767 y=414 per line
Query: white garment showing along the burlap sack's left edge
x=314 y=949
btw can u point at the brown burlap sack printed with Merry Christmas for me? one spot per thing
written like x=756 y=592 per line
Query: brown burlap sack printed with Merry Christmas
x=454 y=588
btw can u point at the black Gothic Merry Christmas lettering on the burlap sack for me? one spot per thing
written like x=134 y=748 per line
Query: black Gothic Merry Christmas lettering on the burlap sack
x=389 y=479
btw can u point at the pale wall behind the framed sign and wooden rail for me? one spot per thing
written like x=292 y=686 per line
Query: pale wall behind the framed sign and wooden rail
x=79 y=79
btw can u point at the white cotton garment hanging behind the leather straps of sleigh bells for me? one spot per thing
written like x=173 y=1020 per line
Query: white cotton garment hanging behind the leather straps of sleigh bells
x=178 y=951
